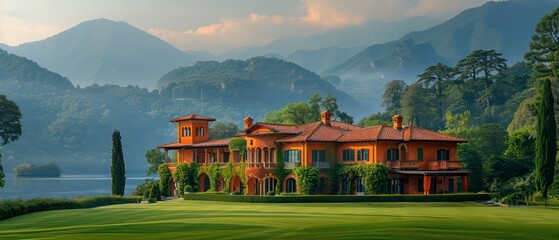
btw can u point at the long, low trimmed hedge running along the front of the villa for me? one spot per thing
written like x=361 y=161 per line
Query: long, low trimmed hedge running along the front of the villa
x=457 y=197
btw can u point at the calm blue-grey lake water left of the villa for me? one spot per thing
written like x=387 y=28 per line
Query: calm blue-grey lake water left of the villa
x=66 y=186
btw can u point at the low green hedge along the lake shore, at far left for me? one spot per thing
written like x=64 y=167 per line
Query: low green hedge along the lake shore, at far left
x=12 y=208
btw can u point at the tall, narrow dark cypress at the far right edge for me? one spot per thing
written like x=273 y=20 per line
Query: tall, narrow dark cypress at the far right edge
x=546 y=145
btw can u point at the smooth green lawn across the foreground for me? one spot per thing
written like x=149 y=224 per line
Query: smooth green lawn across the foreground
x=180 y=219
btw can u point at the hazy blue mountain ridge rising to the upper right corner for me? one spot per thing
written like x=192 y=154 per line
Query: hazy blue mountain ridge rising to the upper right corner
x=505 y=26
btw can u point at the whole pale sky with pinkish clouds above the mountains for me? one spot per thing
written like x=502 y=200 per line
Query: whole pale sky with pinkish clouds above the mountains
x=213 y=25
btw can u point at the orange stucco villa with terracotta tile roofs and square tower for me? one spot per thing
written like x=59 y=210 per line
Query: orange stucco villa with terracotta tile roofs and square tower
x=422 y=161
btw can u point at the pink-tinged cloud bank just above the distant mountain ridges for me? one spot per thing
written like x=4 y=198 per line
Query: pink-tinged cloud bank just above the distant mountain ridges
x=318 y=15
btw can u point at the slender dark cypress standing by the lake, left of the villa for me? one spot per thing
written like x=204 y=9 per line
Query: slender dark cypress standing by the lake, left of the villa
x=117 y=166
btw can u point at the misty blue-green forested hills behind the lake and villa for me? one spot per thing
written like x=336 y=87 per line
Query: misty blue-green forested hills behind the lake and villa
x=73 y=125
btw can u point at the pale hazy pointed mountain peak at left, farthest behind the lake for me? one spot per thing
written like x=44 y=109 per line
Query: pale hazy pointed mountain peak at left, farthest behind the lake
x=106 y=52
